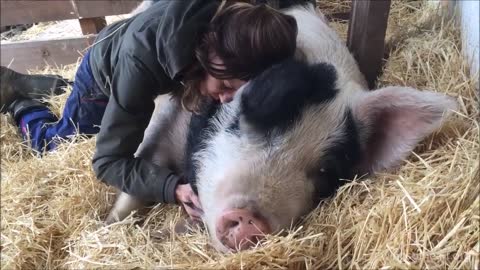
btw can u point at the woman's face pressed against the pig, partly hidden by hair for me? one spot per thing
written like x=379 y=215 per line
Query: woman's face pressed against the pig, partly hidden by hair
x=221 y=90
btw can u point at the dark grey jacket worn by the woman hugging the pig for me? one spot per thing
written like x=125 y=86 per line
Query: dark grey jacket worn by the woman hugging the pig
x=135 y=60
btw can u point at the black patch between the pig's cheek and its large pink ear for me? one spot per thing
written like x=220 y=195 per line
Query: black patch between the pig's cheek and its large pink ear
x=337 y=166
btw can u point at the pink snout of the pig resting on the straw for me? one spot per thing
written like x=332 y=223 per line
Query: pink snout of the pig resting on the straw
x=240 y=228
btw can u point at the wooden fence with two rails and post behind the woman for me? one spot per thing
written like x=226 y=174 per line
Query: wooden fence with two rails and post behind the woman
x=25 y=55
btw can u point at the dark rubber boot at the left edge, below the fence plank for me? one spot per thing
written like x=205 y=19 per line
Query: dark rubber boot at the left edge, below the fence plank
x=16 y=85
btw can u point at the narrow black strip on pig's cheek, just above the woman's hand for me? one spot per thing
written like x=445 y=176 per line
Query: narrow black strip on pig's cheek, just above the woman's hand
x=200 y=131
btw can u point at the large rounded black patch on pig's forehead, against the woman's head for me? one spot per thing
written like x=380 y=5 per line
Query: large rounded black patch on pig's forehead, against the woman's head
x=278 y=96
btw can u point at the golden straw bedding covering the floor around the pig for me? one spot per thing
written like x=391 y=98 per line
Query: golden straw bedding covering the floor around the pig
x=425 y=216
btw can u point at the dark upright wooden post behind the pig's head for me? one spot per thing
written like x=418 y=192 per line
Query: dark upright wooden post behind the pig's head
x=366 y=35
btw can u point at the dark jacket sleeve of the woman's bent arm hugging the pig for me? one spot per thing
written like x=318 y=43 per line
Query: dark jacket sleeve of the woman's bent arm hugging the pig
x=126 y=117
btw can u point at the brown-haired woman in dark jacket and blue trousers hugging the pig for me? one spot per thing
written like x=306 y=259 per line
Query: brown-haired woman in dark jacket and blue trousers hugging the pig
x=177 y=47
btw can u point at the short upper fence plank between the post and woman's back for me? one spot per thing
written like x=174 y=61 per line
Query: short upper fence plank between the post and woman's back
x=100 y=8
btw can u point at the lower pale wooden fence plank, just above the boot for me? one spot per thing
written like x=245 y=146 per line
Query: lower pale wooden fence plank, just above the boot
x=23 y=56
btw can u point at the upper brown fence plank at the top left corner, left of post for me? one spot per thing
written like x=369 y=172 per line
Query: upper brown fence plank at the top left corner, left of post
x=25 y=12
